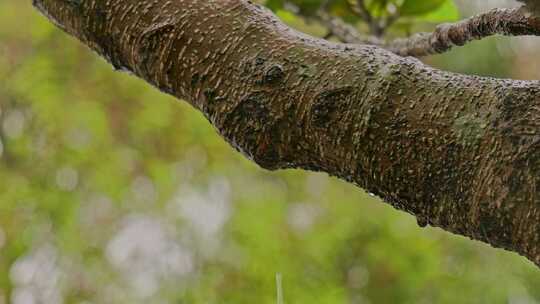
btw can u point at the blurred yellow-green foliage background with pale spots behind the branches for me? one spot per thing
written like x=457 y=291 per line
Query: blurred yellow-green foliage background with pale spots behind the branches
x=111 y=192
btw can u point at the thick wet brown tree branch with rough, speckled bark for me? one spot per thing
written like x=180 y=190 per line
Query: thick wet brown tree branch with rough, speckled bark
x=459 y=152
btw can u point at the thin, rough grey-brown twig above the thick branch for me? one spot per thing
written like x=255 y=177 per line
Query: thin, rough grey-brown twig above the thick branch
x=508 y=22
